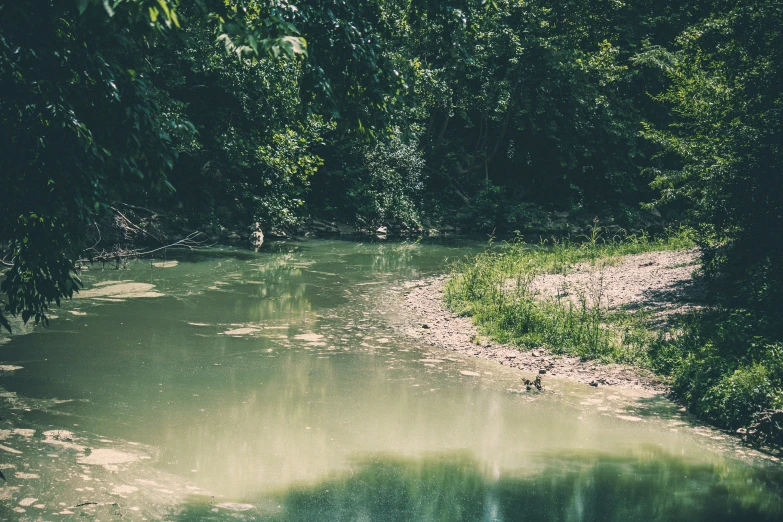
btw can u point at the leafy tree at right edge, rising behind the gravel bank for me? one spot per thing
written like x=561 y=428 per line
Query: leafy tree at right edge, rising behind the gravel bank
x=725 y=159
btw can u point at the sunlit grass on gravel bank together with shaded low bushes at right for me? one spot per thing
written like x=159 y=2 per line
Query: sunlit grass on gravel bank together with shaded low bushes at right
x=719 y=361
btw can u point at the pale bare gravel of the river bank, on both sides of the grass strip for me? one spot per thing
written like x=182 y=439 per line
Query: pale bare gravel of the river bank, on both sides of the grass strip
x=660 y=281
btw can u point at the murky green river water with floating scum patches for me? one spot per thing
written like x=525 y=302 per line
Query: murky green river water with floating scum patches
x=275 y=386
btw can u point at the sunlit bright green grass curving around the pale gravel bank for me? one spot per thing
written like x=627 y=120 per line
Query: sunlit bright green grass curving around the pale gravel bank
x=495 y=287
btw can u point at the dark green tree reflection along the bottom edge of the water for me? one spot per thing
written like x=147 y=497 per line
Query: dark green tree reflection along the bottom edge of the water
x=578 y=487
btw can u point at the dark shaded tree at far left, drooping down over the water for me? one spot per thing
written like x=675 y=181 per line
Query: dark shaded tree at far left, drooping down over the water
x=78 y=127
